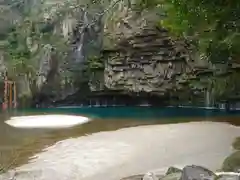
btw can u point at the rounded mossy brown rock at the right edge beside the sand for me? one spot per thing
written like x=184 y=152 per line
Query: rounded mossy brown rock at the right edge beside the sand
x=232 y=163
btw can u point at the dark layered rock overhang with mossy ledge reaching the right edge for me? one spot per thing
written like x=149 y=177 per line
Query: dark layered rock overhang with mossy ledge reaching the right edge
x=154 y=63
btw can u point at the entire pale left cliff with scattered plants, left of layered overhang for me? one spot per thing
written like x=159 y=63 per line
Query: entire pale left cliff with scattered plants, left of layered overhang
x=45 y=49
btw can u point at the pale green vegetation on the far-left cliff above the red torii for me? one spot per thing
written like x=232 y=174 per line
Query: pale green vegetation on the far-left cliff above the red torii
x=25 y=40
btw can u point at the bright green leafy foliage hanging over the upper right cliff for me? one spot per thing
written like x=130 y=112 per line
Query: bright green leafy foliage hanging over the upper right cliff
x=213 y=27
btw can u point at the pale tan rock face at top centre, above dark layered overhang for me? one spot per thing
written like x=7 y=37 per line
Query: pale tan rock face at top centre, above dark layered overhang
x=126 y=19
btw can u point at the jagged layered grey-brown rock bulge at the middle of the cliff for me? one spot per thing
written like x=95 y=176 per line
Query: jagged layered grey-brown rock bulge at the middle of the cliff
x=148 y=62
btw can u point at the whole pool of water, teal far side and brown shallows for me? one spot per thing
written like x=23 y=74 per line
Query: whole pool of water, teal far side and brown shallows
x=18 y=145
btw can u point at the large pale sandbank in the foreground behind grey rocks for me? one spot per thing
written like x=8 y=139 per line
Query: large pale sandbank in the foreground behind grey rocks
x=116 y=154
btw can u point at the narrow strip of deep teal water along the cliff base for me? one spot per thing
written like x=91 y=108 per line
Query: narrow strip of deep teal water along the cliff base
x=136 y=112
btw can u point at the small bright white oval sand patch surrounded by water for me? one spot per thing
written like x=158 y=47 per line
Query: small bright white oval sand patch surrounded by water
x=46 y=121
